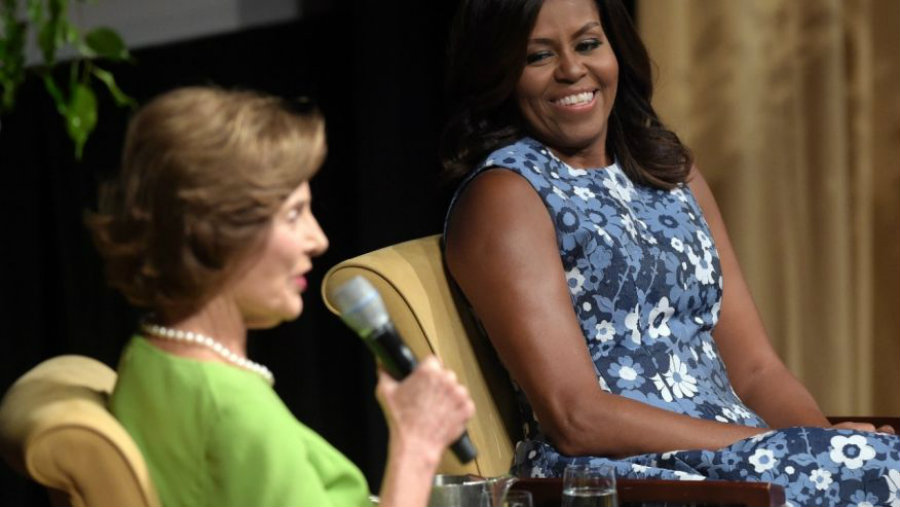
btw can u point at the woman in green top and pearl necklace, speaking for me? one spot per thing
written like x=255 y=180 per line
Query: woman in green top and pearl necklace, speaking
x=210 y=228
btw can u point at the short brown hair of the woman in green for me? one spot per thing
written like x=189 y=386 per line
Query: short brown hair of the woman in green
x=204 y=170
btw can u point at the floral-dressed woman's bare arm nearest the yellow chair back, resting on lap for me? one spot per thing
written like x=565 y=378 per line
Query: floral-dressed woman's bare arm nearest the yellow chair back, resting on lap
x=502 y=251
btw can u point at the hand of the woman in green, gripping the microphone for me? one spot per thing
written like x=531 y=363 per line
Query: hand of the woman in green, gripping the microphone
x=426 y=411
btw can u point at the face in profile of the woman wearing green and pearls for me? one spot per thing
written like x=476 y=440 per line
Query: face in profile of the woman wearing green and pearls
x=268 y=291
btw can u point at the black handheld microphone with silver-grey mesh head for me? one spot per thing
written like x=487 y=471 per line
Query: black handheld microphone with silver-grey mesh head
x=362 y=309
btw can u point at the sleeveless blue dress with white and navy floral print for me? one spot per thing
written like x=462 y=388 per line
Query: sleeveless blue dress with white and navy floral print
x=646 y=285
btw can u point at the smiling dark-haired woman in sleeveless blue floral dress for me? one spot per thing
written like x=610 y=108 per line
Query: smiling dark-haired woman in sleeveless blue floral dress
x=594 y=254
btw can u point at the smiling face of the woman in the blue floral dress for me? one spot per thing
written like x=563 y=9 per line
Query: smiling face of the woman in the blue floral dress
x=568 y=85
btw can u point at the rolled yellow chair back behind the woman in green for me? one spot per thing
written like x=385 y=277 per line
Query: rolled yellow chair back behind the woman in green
x=56 y=428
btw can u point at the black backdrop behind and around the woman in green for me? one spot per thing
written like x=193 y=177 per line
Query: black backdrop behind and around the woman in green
x=374 y=67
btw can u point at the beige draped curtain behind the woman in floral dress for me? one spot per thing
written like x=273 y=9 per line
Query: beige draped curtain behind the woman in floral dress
x=792 y=108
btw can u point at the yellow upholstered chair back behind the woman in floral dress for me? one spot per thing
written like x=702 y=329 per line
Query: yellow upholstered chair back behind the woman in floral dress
x=431 y=318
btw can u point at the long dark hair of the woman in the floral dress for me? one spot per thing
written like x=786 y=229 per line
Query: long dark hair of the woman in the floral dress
x=487 y=51
